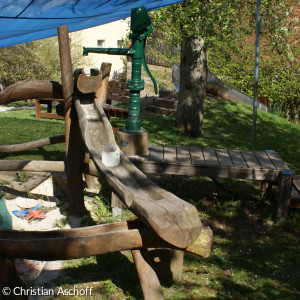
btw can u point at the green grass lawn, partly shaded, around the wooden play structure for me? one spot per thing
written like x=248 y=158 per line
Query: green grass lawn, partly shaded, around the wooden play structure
x=252 y=258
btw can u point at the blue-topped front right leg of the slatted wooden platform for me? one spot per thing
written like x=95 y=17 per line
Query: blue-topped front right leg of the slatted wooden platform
x=284 y=195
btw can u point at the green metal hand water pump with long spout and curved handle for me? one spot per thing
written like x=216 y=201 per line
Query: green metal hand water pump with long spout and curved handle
x=141 y=26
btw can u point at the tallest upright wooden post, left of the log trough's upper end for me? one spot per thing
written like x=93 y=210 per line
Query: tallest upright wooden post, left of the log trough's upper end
x=74 y=144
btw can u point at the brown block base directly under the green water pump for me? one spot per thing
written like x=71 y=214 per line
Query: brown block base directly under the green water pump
x=133 y=143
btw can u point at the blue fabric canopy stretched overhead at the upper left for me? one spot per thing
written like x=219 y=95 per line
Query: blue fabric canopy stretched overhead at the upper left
x=23 y=21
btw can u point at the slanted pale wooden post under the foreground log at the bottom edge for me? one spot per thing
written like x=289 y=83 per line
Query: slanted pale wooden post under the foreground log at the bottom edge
x=148 y=279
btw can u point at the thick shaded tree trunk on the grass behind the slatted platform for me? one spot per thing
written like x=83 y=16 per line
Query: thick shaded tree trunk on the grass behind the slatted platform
x=193 y=72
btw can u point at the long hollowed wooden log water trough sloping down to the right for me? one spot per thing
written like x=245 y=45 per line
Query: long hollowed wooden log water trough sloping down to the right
x=173 y=219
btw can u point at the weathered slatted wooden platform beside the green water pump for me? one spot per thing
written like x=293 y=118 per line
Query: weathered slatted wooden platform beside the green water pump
x=220 y=163
